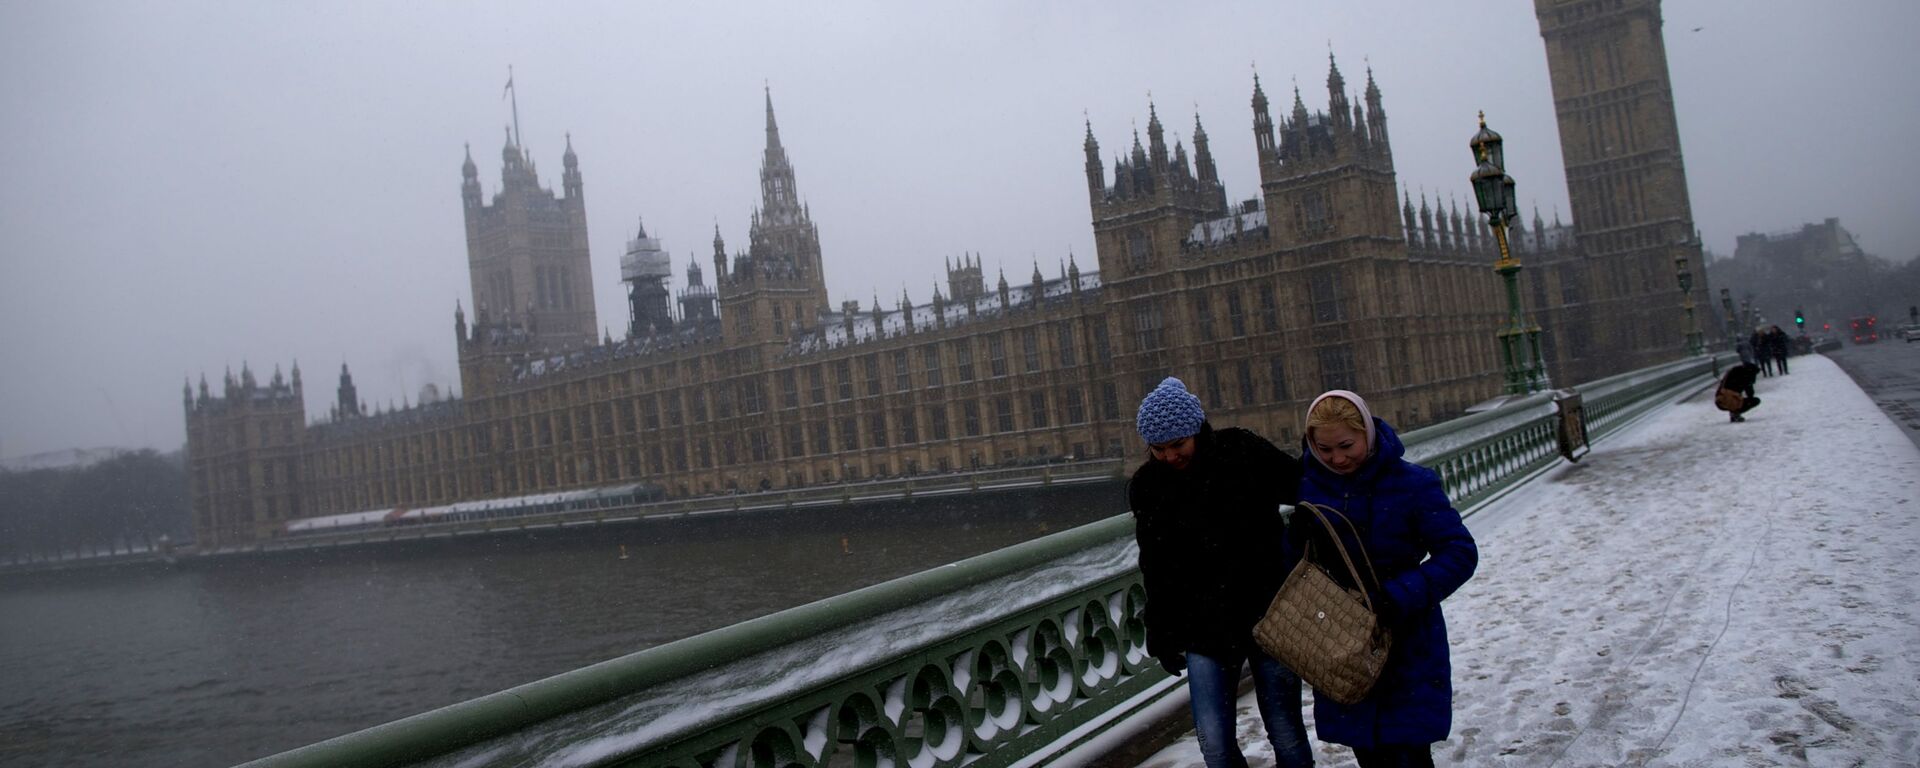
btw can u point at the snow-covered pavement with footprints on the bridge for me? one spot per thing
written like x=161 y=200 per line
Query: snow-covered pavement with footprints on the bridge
x=1694 y=594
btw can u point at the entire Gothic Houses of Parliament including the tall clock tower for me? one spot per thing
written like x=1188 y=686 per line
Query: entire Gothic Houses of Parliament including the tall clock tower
x=750 y=379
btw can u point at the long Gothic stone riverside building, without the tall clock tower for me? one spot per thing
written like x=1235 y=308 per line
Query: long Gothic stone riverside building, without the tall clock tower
x=1328 y=279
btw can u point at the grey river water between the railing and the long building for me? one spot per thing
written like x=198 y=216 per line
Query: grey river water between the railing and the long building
x=212 y=663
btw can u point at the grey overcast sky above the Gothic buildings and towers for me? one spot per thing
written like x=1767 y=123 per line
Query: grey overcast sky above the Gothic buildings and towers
x=199 y=185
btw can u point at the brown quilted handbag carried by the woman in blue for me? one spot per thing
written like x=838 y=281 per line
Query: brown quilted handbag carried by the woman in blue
x=1328 y=635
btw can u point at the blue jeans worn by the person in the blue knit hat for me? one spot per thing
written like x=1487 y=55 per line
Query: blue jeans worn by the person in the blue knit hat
x=1214 y=684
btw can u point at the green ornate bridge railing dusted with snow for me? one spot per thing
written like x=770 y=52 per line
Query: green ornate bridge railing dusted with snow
x=1005 y=660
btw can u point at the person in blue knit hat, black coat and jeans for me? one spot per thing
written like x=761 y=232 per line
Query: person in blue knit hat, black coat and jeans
x=1207 y=512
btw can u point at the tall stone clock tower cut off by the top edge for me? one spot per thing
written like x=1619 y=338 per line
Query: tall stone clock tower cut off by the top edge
x=1616 y=302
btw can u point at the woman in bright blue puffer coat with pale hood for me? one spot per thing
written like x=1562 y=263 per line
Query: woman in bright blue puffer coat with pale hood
x=1422 y=554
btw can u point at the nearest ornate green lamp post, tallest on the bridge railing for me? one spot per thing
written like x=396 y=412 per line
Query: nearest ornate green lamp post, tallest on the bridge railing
x=1493 y=191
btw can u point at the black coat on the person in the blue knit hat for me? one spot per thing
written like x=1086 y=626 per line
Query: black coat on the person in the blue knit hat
x=1212 y=542
